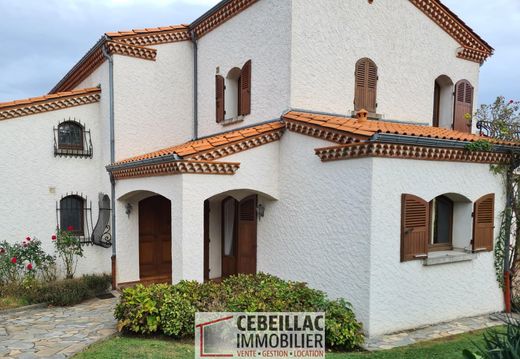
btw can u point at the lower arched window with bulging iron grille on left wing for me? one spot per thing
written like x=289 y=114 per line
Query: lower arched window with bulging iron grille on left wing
x=68 y=210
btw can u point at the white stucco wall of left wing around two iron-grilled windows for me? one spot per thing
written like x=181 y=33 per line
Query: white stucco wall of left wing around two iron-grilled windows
x=33 y=179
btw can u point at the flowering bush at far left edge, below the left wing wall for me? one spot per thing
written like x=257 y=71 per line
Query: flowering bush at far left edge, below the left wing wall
x=25 y=261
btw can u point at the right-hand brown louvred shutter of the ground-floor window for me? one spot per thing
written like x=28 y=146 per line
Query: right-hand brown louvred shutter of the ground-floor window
x=484 y=223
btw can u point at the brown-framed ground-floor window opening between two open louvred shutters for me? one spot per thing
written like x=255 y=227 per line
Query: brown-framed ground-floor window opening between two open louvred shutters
x=441 y=217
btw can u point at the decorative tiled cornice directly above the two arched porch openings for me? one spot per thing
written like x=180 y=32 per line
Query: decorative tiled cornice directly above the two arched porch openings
x=176 y=167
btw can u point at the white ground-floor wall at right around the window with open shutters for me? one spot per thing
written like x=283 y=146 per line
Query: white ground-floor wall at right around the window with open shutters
x=407 y=295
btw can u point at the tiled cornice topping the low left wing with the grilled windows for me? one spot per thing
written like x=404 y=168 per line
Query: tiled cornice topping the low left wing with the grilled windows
x=58 y=101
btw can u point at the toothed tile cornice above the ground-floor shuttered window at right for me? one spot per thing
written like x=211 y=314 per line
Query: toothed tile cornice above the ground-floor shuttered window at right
x=414 y=152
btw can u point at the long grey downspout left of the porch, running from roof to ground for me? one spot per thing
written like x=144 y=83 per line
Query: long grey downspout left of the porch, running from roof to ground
x=112 y=158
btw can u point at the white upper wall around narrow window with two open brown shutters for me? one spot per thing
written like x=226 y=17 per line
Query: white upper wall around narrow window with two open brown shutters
x=261 y=33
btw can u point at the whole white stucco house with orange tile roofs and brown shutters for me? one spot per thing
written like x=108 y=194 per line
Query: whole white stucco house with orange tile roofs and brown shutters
x=320 y=141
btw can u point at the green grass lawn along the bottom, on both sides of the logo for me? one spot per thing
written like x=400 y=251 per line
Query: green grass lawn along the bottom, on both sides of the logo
x=135 y=347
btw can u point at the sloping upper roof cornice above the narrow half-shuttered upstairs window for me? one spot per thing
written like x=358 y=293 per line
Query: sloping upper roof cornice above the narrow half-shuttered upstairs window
x=218 y=15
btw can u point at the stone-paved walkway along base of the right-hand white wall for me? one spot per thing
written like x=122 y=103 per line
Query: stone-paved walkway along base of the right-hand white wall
x=434 y=332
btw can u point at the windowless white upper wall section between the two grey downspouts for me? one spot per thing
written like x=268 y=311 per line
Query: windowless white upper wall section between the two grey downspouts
x=153 y=100
